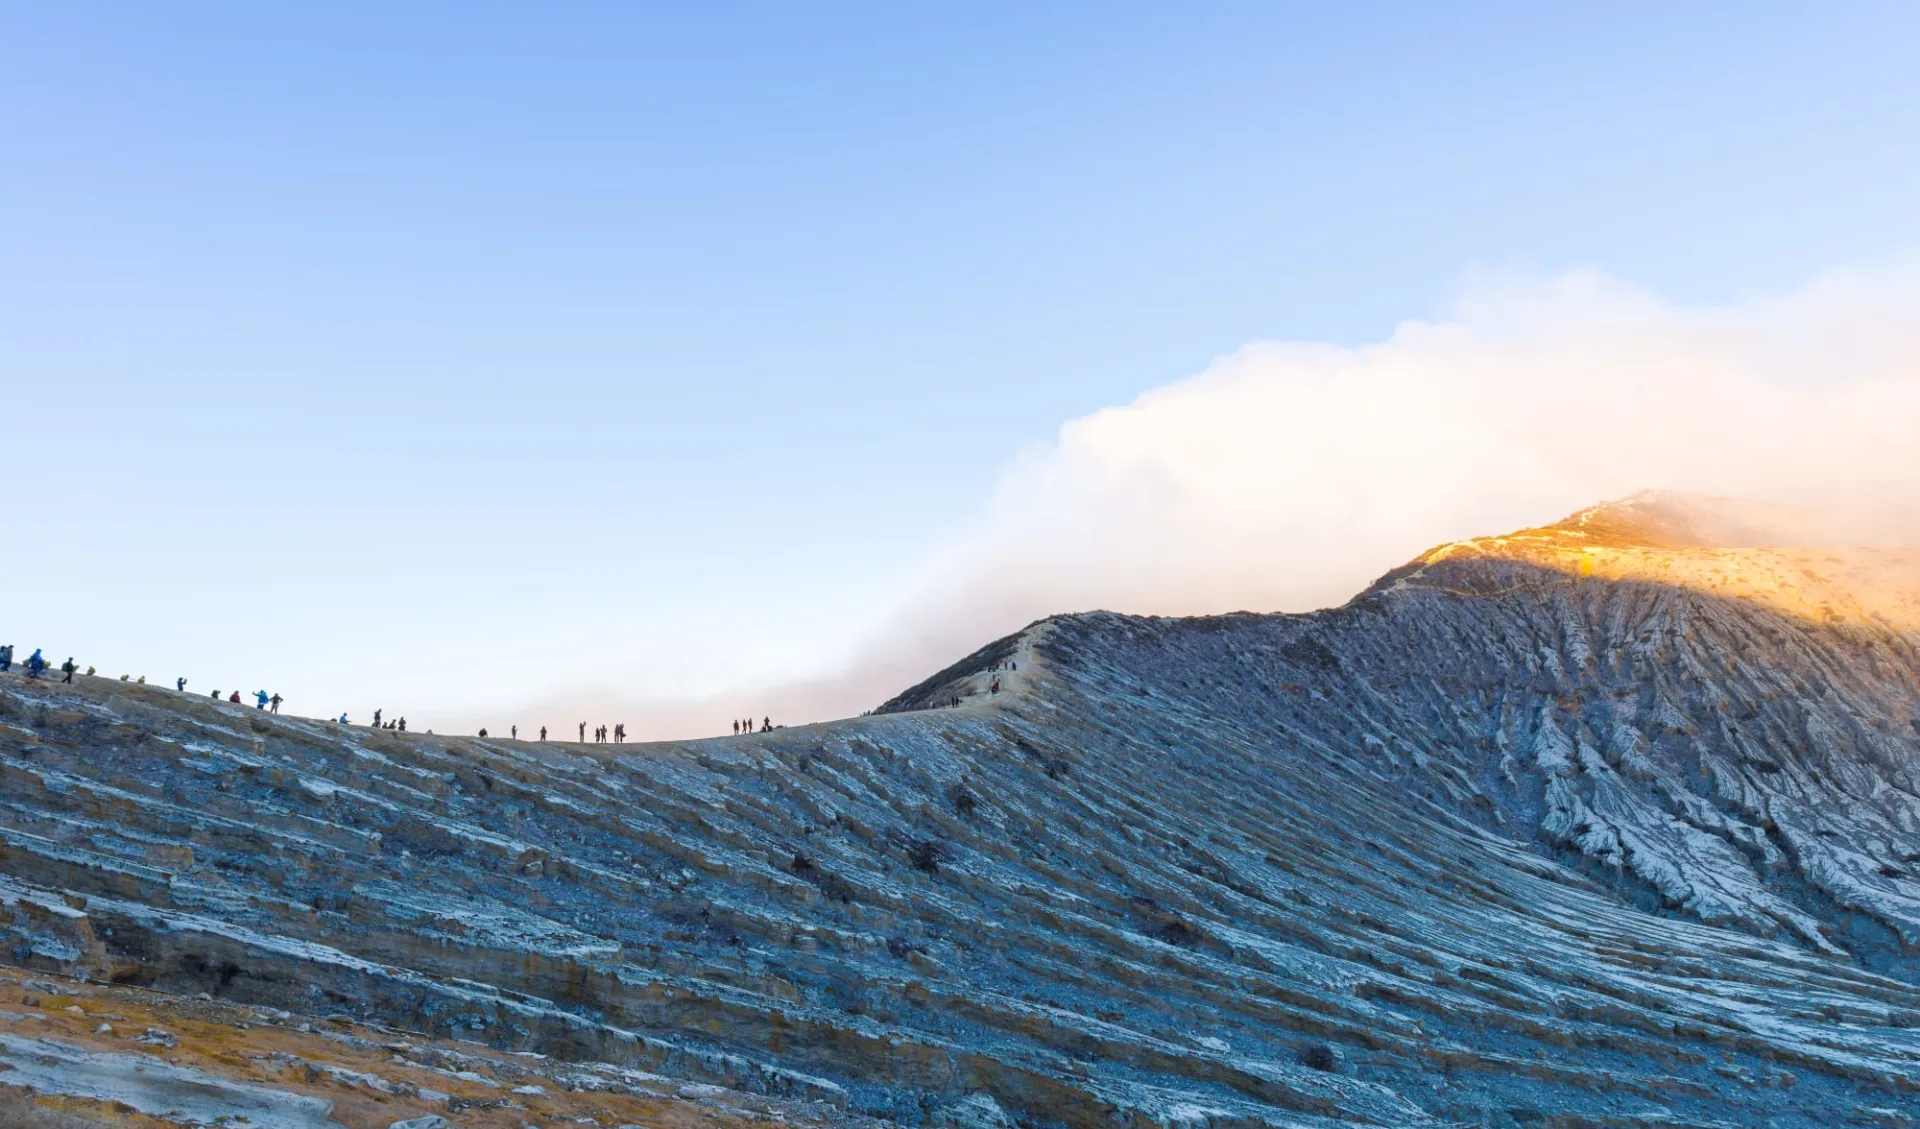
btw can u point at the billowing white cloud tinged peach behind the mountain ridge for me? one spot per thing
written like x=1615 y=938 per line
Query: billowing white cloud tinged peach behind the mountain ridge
x=1289 y=475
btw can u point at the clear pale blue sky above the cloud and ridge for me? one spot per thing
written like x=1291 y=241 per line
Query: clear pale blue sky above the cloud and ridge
x=377 y=350
